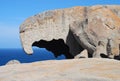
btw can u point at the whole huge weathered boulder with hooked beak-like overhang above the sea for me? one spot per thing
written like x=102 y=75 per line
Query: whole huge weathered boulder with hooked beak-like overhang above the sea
x=79 y=28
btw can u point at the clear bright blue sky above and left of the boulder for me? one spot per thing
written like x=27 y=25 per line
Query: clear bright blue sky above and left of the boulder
x=14 y=12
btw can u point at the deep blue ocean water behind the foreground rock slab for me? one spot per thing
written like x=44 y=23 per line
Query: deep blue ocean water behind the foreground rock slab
x=19 y=54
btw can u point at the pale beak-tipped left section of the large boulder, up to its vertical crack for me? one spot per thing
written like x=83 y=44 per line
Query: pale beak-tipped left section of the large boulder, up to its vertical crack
x=51 y=25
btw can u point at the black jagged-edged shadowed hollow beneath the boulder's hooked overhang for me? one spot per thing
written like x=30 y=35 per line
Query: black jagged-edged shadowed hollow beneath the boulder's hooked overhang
x=57 y=47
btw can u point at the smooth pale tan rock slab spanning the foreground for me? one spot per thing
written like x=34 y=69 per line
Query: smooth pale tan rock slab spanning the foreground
x=63 y=70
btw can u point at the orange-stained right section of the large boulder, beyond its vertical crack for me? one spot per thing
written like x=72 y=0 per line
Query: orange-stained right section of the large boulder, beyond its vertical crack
x=101 y=24
